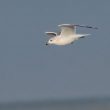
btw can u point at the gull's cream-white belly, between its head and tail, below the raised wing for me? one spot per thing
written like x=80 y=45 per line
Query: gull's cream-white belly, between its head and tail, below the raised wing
x=65 y=41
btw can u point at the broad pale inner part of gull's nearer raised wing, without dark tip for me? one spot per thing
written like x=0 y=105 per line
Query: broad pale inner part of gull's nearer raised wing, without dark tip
x=67 y=29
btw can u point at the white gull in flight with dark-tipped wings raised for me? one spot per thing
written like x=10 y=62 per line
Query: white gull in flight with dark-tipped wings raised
x=67 y=34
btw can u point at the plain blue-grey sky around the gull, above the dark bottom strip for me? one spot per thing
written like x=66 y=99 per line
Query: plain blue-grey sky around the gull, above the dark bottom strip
x=31 y=71
